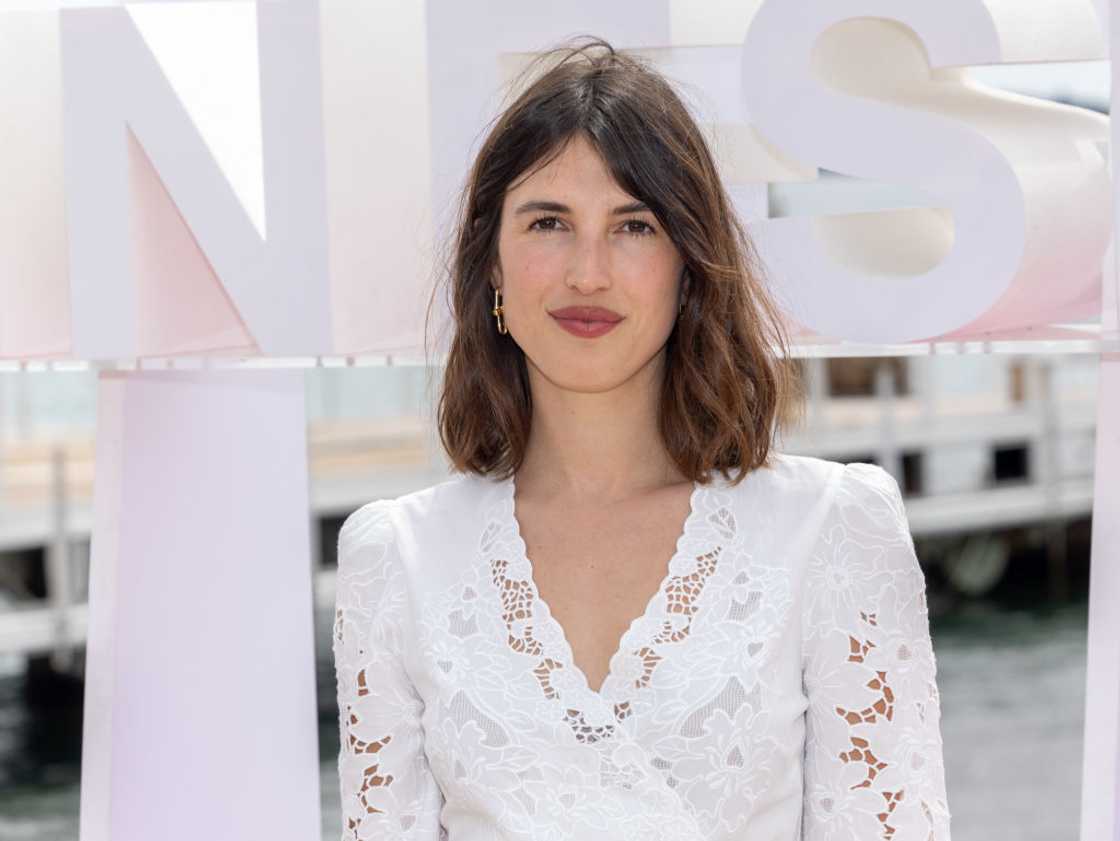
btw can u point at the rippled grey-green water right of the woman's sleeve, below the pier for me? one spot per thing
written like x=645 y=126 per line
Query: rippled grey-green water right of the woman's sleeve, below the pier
x=1013 y=686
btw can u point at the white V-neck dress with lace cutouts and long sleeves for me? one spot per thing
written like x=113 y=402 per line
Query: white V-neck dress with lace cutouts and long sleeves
x=780 y=686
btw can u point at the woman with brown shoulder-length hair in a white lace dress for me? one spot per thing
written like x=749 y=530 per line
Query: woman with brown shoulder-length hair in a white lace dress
x=595 y=631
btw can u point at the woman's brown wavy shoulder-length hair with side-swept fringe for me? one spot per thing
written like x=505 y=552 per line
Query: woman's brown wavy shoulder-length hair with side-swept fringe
x=730 y=381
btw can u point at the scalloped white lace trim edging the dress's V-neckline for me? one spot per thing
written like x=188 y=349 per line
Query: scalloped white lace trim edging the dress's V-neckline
x=608 y=692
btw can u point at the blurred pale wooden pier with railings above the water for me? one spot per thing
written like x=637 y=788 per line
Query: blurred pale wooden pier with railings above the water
x=46 y=483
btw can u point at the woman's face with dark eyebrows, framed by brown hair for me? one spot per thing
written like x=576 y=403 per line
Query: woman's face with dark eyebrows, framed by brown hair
x=568 y=240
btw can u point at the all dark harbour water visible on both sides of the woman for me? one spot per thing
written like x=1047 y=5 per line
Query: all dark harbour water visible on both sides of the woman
x=1012 y=680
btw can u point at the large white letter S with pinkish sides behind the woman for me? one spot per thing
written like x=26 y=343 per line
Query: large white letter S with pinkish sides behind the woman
x=1019 y=218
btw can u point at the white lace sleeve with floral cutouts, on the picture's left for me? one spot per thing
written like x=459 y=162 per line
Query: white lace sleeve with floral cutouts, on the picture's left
x=387 y=788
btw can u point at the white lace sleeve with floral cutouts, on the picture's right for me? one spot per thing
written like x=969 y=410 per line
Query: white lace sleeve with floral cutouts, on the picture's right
x=873 y=764
